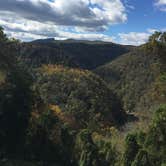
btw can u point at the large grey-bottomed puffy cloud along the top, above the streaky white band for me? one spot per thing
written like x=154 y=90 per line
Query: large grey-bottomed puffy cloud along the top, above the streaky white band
x=89 y=14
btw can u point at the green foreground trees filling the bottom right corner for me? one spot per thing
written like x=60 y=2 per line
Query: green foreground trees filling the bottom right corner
x=148 y=148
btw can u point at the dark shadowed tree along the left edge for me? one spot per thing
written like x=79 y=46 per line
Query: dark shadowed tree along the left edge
x=15 y=97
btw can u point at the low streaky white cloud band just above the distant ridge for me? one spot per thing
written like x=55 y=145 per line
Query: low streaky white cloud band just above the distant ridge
x=27 y=30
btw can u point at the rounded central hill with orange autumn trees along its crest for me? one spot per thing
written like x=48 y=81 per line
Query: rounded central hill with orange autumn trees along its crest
x=81 y=94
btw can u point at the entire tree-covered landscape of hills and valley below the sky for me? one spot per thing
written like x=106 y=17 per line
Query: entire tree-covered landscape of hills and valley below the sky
x=55 y=113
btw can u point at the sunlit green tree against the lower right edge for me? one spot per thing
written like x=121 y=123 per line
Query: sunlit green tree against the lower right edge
x=156 y=136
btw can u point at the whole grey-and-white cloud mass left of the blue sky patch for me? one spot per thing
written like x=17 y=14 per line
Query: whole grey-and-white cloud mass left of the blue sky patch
x=78 y=19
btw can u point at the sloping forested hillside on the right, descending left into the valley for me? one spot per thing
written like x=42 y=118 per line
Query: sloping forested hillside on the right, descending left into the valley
x=138 y=77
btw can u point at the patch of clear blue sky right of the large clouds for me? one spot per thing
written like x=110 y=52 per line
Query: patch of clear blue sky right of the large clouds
x=144 y=17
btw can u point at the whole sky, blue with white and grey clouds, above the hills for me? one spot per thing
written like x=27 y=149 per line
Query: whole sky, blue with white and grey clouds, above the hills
x=128 y=22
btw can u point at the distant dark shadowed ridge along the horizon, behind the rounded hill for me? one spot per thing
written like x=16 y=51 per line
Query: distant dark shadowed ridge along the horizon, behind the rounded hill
x=81 y=54
